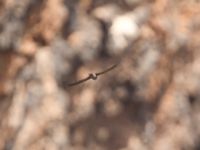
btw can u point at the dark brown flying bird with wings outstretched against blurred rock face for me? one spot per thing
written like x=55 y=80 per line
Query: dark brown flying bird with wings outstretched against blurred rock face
x=93 y=76
